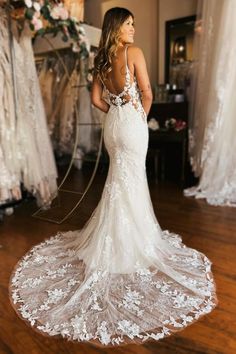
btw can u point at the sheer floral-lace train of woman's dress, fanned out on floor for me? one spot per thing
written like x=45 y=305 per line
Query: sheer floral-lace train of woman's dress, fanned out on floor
x=77 y=307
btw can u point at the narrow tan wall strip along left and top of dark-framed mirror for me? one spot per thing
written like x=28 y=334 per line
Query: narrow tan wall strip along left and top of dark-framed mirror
x=170 y=10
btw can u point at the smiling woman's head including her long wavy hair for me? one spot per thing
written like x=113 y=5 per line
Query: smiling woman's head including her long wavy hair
x=117 y=30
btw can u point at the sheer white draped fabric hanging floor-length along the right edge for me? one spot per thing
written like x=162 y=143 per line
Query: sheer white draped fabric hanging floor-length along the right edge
x=213 y=105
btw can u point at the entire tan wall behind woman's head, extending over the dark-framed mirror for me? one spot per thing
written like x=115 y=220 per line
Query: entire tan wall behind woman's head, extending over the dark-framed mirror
x=150 y=17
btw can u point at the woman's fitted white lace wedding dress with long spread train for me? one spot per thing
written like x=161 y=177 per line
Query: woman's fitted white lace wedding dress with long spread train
x=121 y=278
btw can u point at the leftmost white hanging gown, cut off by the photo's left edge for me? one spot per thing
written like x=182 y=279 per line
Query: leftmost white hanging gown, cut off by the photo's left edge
x=10 y=156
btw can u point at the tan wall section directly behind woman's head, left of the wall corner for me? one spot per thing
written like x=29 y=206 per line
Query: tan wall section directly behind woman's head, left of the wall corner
x=146 y=25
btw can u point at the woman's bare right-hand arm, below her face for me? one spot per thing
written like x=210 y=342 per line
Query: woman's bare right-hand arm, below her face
x=137 y=58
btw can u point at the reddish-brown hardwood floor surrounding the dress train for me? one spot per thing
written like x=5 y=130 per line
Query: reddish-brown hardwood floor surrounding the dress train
x=209 y=229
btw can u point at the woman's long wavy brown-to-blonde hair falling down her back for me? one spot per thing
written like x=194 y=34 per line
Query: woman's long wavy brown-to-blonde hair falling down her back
x=113 y=20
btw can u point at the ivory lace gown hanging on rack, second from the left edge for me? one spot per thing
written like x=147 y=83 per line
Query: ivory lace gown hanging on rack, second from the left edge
x=38 y=168
